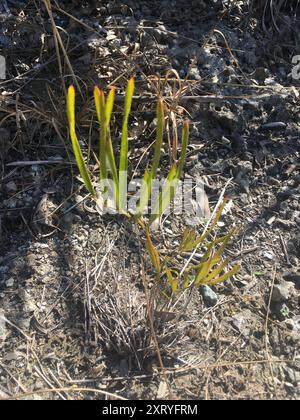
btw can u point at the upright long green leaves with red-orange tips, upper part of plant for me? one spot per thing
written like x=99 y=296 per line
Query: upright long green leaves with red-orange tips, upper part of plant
x=107 y=160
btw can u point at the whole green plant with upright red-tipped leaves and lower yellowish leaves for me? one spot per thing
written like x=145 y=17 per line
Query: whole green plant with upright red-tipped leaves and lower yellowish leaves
x=212 y=268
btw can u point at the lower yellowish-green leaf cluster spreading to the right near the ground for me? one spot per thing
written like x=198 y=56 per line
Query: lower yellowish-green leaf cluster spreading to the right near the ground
x=212 y=268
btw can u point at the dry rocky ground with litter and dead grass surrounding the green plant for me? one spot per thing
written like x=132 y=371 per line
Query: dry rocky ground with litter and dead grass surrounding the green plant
x=73 y=300
